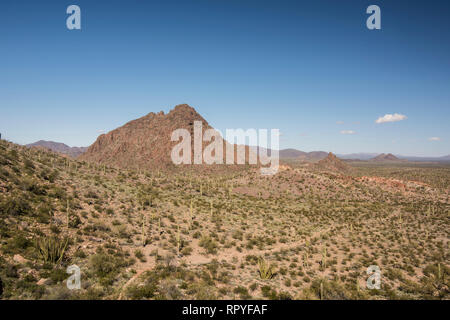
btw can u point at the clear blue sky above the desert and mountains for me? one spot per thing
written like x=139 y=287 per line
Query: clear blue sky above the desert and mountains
x=310 y=68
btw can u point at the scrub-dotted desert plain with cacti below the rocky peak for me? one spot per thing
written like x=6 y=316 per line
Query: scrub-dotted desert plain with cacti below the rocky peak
x=304 y=233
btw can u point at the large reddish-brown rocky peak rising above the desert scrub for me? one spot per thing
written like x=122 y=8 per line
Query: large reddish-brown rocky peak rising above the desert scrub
x=145 y=143
